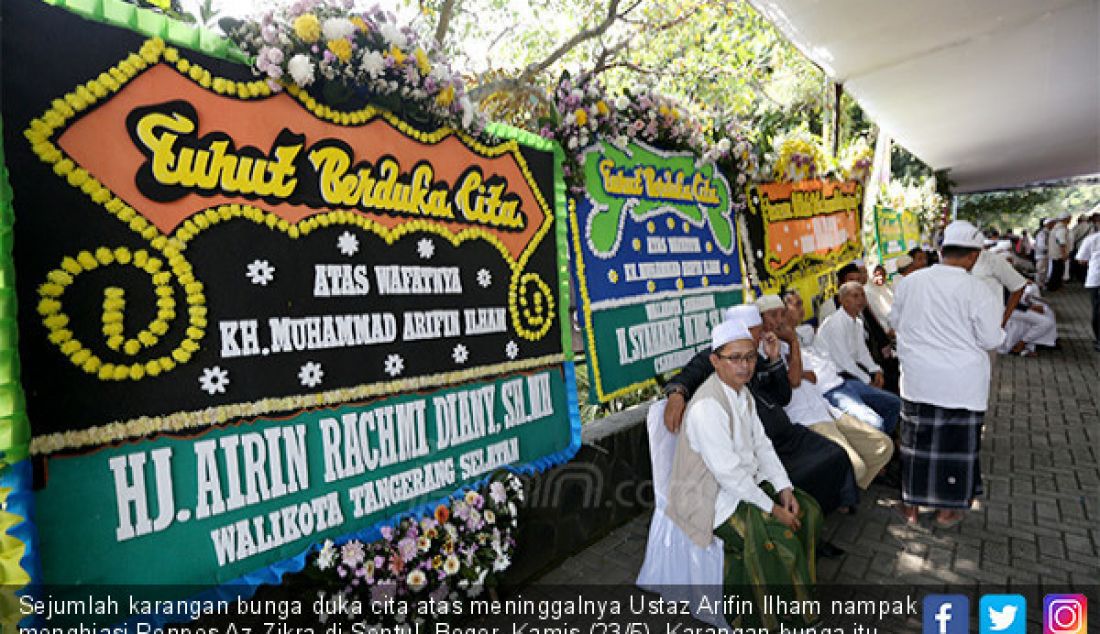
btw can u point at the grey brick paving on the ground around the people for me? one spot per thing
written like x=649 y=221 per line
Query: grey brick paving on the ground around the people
x=1038 y=524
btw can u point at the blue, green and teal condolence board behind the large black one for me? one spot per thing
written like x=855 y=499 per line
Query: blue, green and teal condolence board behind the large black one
x=655 y=260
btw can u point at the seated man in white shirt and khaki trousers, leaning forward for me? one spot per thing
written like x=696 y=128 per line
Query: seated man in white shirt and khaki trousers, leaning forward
x=810 y=374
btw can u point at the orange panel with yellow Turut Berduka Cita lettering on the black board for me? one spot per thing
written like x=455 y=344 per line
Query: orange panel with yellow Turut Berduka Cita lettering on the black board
x=172 y=160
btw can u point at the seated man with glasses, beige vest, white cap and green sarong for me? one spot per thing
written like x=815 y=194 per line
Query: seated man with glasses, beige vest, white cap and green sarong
x=728 y=479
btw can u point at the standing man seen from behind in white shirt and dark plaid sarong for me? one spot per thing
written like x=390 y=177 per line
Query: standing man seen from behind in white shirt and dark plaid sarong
x=947 y=322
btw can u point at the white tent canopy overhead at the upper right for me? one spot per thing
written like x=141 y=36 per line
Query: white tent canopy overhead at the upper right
x=1002 y=92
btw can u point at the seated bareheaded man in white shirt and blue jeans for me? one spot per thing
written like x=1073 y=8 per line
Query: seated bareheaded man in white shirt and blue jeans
x=841 y=337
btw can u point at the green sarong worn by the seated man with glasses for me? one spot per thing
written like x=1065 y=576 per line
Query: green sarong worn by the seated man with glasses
x=764 y=558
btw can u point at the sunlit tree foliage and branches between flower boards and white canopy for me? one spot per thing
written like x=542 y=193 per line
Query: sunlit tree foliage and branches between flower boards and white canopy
x=720 y=59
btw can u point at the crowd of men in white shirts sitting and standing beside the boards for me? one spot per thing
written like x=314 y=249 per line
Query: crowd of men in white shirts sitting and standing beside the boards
x=782 y=423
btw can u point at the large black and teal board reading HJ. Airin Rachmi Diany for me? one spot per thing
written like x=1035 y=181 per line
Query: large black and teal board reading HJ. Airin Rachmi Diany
x=251 y=322
